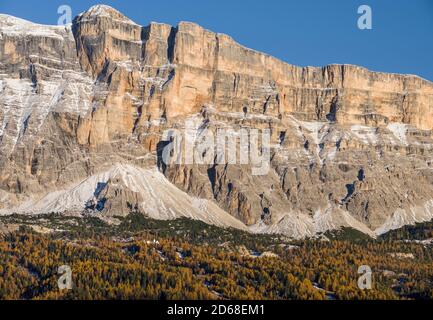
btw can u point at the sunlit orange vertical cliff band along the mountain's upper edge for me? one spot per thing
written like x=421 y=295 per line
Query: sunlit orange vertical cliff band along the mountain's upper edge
x=177 y=71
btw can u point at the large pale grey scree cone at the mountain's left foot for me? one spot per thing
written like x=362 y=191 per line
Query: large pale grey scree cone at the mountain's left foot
x=122 y=187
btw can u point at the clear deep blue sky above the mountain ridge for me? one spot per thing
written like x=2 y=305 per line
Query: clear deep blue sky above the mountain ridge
x=303 y=32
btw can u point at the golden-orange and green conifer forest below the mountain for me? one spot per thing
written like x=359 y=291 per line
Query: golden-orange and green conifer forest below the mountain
x=146 y=259
